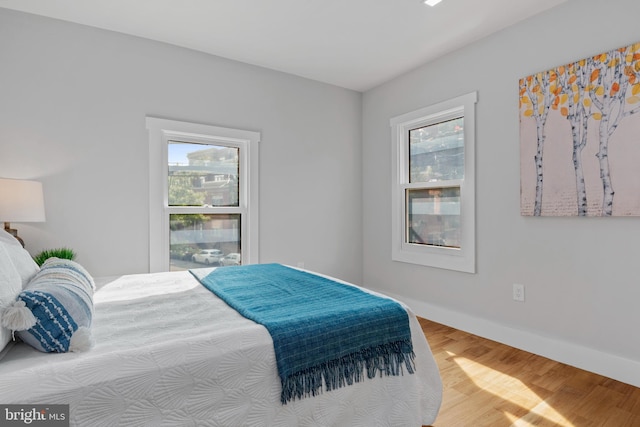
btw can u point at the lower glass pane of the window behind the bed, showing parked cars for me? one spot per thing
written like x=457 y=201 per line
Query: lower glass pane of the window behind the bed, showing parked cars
x=198 y=240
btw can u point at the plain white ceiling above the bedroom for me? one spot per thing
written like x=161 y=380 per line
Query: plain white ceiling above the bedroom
x=355 y=44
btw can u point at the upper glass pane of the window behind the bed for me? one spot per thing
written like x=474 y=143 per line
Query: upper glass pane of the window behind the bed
x=203 y=175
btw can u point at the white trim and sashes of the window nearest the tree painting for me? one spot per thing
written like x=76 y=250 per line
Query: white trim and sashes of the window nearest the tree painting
x=463 y=259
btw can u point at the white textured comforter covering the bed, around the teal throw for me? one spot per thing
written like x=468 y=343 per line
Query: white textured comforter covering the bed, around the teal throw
x=170 y=353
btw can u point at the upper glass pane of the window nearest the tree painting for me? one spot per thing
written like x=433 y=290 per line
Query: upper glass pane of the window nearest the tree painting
x=436 y=152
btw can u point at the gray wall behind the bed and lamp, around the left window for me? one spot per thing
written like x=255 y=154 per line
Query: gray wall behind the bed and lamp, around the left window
x=72 y=115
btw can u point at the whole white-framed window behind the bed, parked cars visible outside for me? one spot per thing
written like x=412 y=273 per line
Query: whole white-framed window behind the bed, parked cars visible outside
x=203 y=195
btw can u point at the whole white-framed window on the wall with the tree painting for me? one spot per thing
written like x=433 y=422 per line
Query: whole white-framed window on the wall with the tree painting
x=433 y=216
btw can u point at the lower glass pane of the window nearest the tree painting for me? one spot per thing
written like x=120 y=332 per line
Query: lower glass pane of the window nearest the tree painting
x=433 y=217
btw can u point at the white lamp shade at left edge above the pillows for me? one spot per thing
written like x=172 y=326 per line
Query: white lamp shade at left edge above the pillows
x=21 y=201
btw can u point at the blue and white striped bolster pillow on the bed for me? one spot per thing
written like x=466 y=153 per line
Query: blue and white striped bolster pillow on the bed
x=60 y=297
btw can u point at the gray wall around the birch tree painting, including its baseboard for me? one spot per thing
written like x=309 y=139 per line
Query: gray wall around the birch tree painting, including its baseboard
x=581 y=274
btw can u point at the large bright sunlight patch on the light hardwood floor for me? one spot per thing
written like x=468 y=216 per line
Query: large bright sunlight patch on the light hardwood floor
x=516 y=392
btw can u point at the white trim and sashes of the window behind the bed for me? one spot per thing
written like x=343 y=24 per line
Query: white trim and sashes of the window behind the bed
x=161 y=131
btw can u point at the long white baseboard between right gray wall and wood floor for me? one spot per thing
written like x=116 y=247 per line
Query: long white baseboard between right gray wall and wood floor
x=606 y=364
